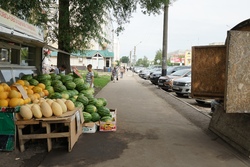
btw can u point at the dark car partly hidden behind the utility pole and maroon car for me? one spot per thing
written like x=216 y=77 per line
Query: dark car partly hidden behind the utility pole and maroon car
x=170 y=69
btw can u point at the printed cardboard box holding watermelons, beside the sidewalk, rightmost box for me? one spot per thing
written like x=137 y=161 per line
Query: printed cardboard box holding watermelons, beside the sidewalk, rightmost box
x=109 y=126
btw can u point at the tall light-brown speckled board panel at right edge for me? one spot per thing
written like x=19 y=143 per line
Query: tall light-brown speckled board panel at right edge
x=237 y=93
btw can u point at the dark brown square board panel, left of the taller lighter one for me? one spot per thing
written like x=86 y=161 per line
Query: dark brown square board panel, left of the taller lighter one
x=208 y=71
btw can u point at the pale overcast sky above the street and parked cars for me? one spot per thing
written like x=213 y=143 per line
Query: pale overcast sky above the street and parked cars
x=190 y=23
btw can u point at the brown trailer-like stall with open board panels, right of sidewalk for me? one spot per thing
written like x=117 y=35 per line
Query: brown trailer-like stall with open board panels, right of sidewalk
x=225 y=74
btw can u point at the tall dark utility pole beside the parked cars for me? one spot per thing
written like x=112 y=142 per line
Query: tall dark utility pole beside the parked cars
x=165 y=40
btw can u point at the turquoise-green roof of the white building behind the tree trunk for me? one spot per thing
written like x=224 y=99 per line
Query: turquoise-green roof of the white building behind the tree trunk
x=89 y=53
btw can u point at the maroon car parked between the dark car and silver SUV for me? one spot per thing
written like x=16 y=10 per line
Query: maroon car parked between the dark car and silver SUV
x=166 y=82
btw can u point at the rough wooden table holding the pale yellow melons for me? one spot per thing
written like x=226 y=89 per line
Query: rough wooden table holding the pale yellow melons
x=71 y=119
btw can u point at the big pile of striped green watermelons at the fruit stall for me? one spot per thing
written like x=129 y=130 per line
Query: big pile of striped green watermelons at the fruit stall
x=74 y=88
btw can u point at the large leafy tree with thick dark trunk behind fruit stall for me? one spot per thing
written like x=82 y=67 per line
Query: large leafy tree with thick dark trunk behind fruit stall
x=79 y=21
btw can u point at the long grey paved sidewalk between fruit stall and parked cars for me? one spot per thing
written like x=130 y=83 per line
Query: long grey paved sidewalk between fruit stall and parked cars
x=154 y=129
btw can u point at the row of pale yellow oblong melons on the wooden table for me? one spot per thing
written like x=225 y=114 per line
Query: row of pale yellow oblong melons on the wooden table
x=45 y=108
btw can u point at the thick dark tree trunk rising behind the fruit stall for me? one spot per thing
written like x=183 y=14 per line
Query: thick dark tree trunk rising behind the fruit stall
x=64 y=35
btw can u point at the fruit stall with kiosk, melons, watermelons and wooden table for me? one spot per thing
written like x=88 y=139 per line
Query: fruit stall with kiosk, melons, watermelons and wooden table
x=42 y=106
